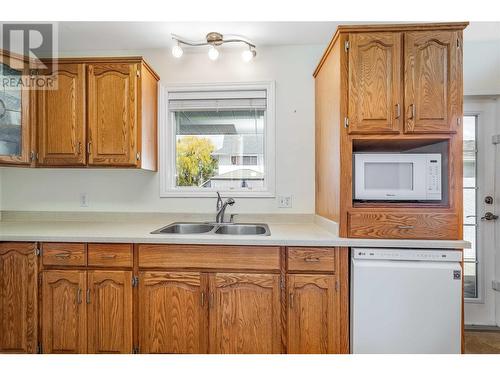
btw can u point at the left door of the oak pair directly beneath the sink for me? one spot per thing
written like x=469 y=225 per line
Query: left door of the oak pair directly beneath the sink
x=173 y=313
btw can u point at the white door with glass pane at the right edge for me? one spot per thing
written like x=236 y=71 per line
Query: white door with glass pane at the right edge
x=481 y=161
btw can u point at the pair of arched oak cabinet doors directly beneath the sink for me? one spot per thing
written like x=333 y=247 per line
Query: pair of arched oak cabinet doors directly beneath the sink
x=179 y=311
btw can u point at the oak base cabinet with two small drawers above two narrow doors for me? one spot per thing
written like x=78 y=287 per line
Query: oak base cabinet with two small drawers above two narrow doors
x=87 y=308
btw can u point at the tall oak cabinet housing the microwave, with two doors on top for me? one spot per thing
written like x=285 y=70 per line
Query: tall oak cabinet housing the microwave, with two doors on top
x=396 y=89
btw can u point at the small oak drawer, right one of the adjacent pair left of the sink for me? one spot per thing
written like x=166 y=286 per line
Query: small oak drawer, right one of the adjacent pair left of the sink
x=110 y=255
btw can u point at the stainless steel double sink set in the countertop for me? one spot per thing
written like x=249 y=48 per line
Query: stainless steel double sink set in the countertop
x=215 y=228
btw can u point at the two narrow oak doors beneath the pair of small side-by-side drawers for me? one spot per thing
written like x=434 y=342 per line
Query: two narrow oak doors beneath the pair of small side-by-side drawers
x=86 y=311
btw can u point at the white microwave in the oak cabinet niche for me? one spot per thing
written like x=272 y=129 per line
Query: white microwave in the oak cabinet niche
x=386 y=176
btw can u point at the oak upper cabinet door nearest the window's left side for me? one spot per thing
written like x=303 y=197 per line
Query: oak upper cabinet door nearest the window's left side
x=112 y=114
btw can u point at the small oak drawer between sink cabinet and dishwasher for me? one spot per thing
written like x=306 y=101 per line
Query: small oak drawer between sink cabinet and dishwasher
x=311 y=259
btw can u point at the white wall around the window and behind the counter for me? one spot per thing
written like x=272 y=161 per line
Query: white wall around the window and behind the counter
x=131 y=190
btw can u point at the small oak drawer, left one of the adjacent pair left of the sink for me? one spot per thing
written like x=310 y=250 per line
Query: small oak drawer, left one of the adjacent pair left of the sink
x=63 y=254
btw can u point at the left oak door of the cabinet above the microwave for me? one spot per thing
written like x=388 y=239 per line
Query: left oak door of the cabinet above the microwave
x=375 y=83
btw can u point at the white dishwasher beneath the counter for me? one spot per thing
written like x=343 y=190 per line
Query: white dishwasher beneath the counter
x=406 y=301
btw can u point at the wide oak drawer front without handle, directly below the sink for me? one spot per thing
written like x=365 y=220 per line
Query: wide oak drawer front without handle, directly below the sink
x=209 y=257
